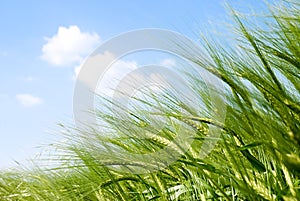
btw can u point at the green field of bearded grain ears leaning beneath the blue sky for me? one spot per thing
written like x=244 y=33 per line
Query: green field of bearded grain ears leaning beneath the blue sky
x=257 y=154
